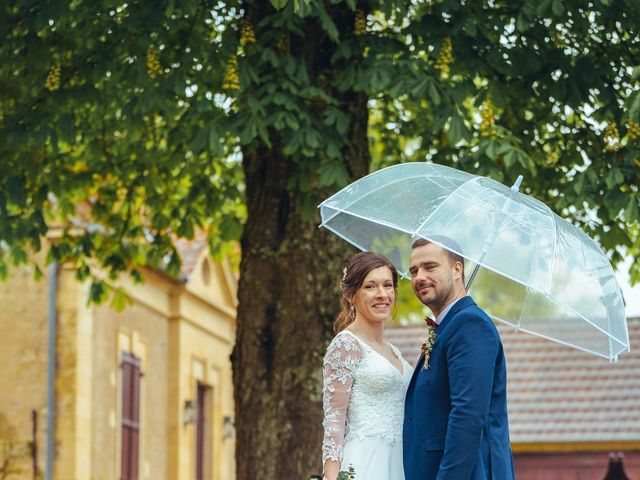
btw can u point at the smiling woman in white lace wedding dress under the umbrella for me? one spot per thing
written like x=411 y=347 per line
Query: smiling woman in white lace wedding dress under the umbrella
x=365 y=377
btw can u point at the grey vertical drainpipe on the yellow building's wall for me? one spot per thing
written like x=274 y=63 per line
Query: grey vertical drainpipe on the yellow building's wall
x=51 y=368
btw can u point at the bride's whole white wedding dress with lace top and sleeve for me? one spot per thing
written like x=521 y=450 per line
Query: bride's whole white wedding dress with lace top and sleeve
x=364 y=408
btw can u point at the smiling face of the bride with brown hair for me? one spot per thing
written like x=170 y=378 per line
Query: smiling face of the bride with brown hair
x=375 y=297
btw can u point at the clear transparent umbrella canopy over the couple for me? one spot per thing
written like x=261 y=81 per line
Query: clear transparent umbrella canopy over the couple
x=538 y=272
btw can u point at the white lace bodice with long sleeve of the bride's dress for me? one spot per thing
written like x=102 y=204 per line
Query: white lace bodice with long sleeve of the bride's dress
x=363 y=394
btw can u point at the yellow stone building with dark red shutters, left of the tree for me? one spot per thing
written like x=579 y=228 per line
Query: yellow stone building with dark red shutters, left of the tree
x=141 y=394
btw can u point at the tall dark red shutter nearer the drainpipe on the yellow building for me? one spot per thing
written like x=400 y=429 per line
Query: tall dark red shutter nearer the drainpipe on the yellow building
x=130 y=417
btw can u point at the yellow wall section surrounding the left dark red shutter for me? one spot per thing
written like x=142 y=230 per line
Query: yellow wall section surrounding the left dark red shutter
x=144 y=332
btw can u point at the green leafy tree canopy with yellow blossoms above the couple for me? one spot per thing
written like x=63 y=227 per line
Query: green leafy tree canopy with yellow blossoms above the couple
x=126 y=124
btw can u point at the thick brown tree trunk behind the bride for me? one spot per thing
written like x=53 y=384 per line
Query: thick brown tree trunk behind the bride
x=288 y=299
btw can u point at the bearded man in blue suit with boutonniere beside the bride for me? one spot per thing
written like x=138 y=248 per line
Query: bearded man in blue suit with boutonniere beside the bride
x=455 y=425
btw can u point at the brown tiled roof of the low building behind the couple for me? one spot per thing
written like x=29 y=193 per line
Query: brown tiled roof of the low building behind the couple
x=559 y=394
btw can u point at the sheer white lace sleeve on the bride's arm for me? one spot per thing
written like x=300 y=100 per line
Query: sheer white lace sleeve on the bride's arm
x=340 y=361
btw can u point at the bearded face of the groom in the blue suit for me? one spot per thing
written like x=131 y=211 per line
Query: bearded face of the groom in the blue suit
x=432 y=275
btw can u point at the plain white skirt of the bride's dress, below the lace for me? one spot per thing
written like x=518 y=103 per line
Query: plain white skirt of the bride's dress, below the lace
x=374 y=459
